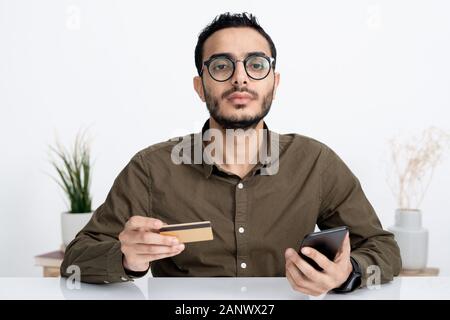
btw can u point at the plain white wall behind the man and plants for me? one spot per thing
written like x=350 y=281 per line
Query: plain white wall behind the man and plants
x=354 y=74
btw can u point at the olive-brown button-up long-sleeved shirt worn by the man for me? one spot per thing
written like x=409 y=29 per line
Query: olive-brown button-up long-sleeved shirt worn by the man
x=254 y=219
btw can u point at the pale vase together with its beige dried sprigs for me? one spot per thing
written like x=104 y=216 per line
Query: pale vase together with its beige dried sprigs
x=414 y=162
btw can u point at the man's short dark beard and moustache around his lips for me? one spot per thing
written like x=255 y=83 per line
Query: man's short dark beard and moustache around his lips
x=236 y=122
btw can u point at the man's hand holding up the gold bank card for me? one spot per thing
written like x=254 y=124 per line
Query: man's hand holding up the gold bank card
x=141 y=243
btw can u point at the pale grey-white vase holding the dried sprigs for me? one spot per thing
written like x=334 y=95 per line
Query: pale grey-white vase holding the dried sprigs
x=411 y=238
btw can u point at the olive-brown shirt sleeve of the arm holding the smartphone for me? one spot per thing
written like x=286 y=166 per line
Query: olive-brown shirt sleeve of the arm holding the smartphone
x=343 y=202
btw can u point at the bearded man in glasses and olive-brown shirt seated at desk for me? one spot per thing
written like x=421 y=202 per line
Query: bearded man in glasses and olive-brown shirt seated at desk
x=260 y=208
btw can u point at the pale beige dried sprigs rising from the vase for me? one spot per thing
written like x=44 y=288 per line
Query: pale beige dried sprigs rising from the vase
x=414 y=162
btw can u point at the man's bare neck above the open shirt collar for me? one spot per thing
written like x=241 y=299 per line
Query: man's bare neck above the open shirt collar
x=240 y=147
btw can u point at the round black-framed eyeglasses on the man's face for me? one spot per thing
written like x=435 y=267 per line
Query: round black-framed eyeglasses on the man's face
x=221 y=68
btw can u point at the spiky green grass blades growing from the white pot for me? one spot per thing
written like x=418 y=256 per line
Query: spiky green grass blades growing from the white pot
x=74 y=173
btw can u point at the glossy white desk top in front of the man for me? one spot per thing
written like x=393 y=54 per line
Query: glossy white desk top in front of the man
x=214 y=289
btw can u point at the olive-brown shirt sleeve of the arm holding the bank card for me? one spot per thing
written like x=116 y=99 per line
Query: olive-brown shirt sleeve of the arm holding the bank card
x=96 y=249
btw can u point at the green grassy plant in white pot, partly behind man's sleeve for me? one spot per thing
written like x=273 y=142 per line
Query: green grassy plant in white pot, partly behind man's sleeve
x=74 y=177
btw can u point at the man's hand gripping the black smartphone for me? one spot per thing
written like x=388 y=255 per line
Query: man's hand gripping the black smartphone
x=304 y=278
